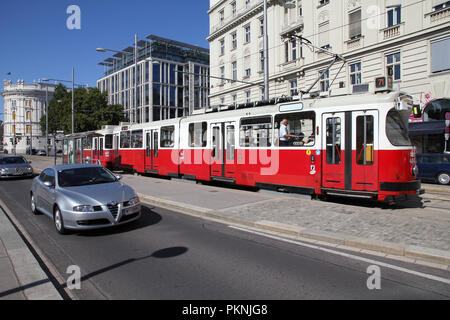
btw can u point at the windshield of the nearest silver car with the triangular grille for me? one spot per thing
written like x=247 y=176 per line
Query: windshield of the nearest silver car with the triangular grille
x=84 y=176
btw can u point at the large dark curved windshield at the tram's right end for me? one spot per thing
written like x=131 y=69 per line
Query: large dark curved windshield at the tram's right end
x=397 y=128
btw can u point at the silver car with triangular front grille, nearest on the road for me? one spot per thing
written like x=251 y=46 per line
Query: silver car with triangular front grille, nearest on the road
x=83 y=197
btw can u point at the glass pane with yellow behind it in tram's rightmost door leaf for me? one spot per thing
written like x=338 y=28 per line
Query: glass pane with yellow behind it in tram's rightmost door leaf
x=364 y=140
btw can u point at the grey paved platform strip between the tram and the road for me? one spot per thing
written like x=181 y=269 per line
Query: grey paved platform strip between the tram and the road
x=415 y=234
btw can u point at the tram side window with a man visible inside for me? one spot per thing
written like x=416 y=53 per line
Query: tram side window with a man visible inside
x=301 y=124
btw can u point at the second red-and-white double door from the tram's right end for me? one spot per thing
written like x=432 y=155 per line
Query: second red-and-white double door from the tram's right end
x=223 y=154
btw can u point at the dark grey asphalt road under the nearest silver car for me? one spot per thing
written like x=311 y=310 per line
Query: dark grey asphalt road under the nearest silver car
x=167 y=255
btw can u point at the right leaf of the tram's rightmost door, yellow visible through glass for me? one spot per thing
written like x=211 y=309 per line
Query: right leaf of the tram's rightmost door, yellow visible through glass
x=365 y=150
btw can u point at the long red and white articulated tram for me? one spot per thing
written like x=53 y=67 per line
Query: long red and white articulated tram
x=355 y=146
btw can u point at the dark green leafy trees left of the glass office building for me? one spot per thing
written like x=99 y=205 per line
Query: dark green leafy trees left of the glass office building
x=91 y=111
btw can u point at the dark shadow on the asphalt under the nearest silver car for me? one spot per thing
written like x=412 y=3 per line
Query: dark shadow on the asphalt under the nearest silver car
x=148 y=218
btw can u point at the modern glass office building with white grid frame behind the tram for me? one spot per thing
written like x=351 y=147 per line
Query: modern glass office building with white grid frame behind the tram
x=172 y=80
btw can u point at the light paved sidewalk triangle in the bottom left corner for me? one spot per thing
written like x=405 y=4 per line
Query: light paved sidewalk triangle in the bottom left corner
x=21 y=277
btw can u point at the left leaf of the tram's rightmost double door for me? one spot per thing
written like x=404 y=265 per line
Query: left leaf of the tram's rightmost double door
x=334 y=145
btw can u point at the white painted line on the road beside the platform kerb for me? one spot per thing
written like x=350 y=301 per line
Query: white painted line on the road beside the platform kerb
x=347 y=255
